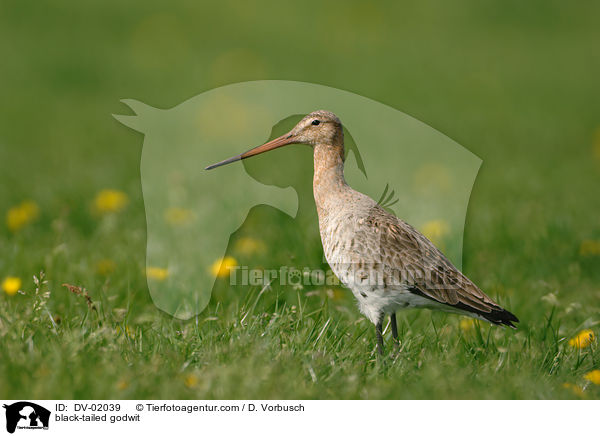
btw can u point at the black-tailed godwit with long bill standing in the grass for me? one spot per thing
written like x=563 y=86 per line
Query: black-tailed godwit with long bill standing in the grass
x=386 y=263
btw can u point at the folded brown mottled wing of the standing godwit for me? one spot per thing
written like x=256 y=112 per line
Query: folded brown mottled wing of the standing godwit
x=405 y=252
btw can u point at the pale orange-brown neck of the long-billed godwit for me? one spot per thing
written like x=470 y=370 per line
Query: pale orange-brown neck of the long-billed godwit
x=328 y=179
